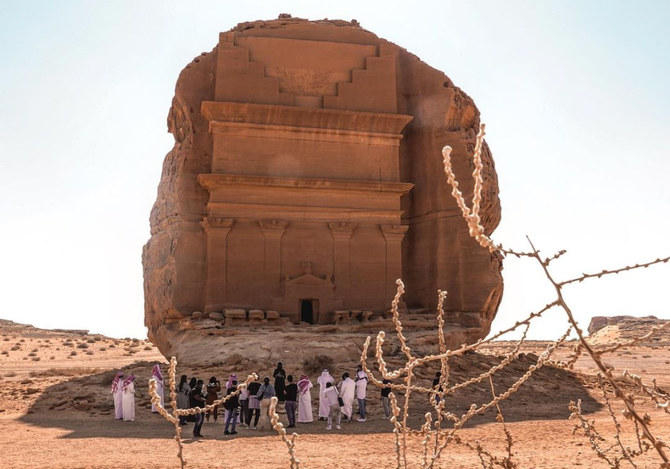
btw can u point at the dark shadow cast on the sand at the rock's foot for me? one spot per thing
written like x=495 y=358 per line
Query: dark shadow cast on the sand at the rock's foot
x=83 y=404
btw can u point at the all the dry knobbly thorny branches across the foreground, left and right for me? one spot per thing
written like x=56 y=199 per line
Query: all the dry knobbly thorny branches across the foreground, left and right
x=442 y=427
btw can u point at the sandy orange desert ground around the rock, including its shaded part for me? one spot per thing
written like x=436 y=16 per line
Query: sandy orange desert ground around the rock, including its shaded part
x=57 y=411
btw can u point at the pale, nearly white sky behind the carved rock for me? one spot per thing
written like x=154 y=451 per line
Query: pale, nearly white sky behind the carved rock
x=575 y=96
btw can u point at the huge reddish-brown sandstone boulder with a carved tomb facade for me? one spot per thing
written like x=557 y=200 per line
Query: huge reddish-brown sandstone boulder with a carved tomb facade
x=306 y=176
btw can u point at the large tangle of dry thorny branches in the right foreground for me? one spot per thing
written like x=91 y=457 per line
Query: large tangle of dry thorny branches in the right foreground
x=435 y=437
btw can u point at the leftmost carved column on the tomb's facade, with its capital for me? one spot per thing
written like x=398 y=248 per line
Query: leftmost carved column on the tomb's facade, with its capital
x=216 y=231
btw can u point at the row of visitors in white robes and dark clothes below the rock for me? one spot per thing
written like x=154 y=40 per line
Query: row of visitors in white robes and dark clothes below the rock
x=250 y=407
